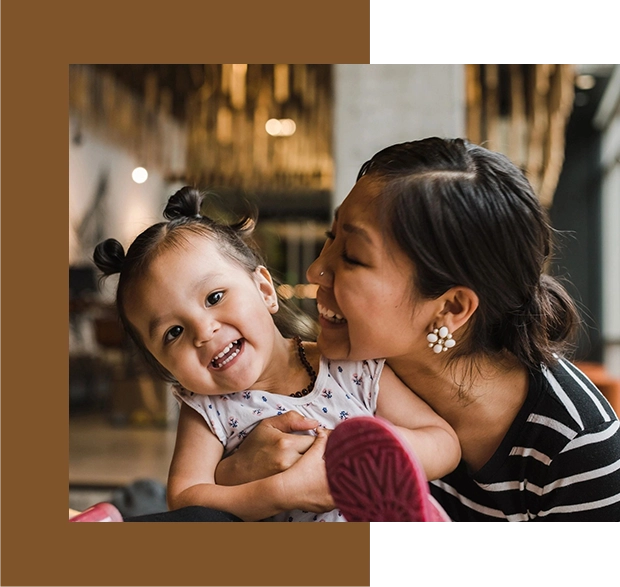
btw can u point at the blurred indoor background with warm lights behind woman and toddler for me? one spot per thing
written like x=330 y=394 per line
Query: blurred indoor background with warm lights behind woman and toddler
x=289 y=139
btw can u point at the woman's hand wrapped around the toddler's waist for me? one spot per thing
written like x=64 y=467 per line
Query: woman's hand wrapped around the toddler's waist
x=272 y=447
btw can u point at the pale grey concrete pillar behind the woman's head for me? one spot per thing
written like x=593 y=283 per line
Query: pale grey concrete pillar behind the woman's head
x=378 y=105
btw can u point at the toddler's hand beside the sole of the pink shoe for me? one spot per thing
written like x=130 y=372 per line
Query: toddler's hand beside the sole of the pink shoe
x=305 y=484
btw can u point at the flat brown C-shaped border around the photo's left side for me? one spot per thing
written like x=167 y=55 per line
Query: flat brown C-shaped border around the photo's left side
x=35 y=95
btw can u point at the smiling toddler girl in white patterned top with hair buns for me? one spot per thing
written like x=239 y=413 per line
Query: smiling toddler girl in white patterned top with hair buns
x=195 y=297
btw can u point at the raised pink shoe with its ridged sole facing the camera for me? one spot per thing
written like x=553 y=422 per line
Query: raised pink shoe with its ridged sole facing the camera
x=374 y=476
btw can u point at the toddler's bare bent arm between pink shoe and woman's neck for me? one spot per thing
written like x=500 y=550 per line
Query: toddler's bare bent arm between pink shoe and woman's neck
x=432 y=439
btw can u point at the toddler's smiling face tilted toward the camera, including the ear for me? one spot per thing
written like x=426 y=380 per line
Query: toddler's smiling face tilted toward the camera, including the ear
x=205 y=319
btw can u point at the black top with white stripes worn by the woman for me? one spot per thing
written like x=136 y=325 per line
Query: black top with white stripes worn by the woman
x=558 y=465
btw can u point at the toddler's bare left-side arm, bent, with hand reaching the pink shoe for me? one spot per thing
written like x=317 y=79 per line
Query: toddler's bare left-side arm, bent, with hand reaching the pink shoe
x=191 y=480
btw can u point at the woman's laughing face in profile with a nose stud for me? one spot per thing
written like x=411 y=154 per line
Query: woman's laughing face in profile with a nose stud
x=365 y=297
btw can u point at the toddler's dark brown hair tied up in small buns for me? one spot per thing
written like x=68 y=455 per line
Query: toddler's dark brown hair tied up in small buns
x=183 y=214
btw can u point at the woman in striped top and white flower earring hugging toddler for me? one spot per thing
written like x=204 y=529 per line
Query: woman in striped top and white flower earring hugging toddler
x=436 y=261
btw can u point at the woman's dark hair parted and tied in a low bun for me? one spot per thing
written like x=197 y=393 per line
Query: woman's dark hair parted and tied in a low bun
x=467 y=216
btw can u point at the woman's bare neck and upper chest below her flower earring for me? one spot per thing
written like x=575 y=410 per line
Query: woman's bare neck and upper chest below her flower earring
x=480 y=409
